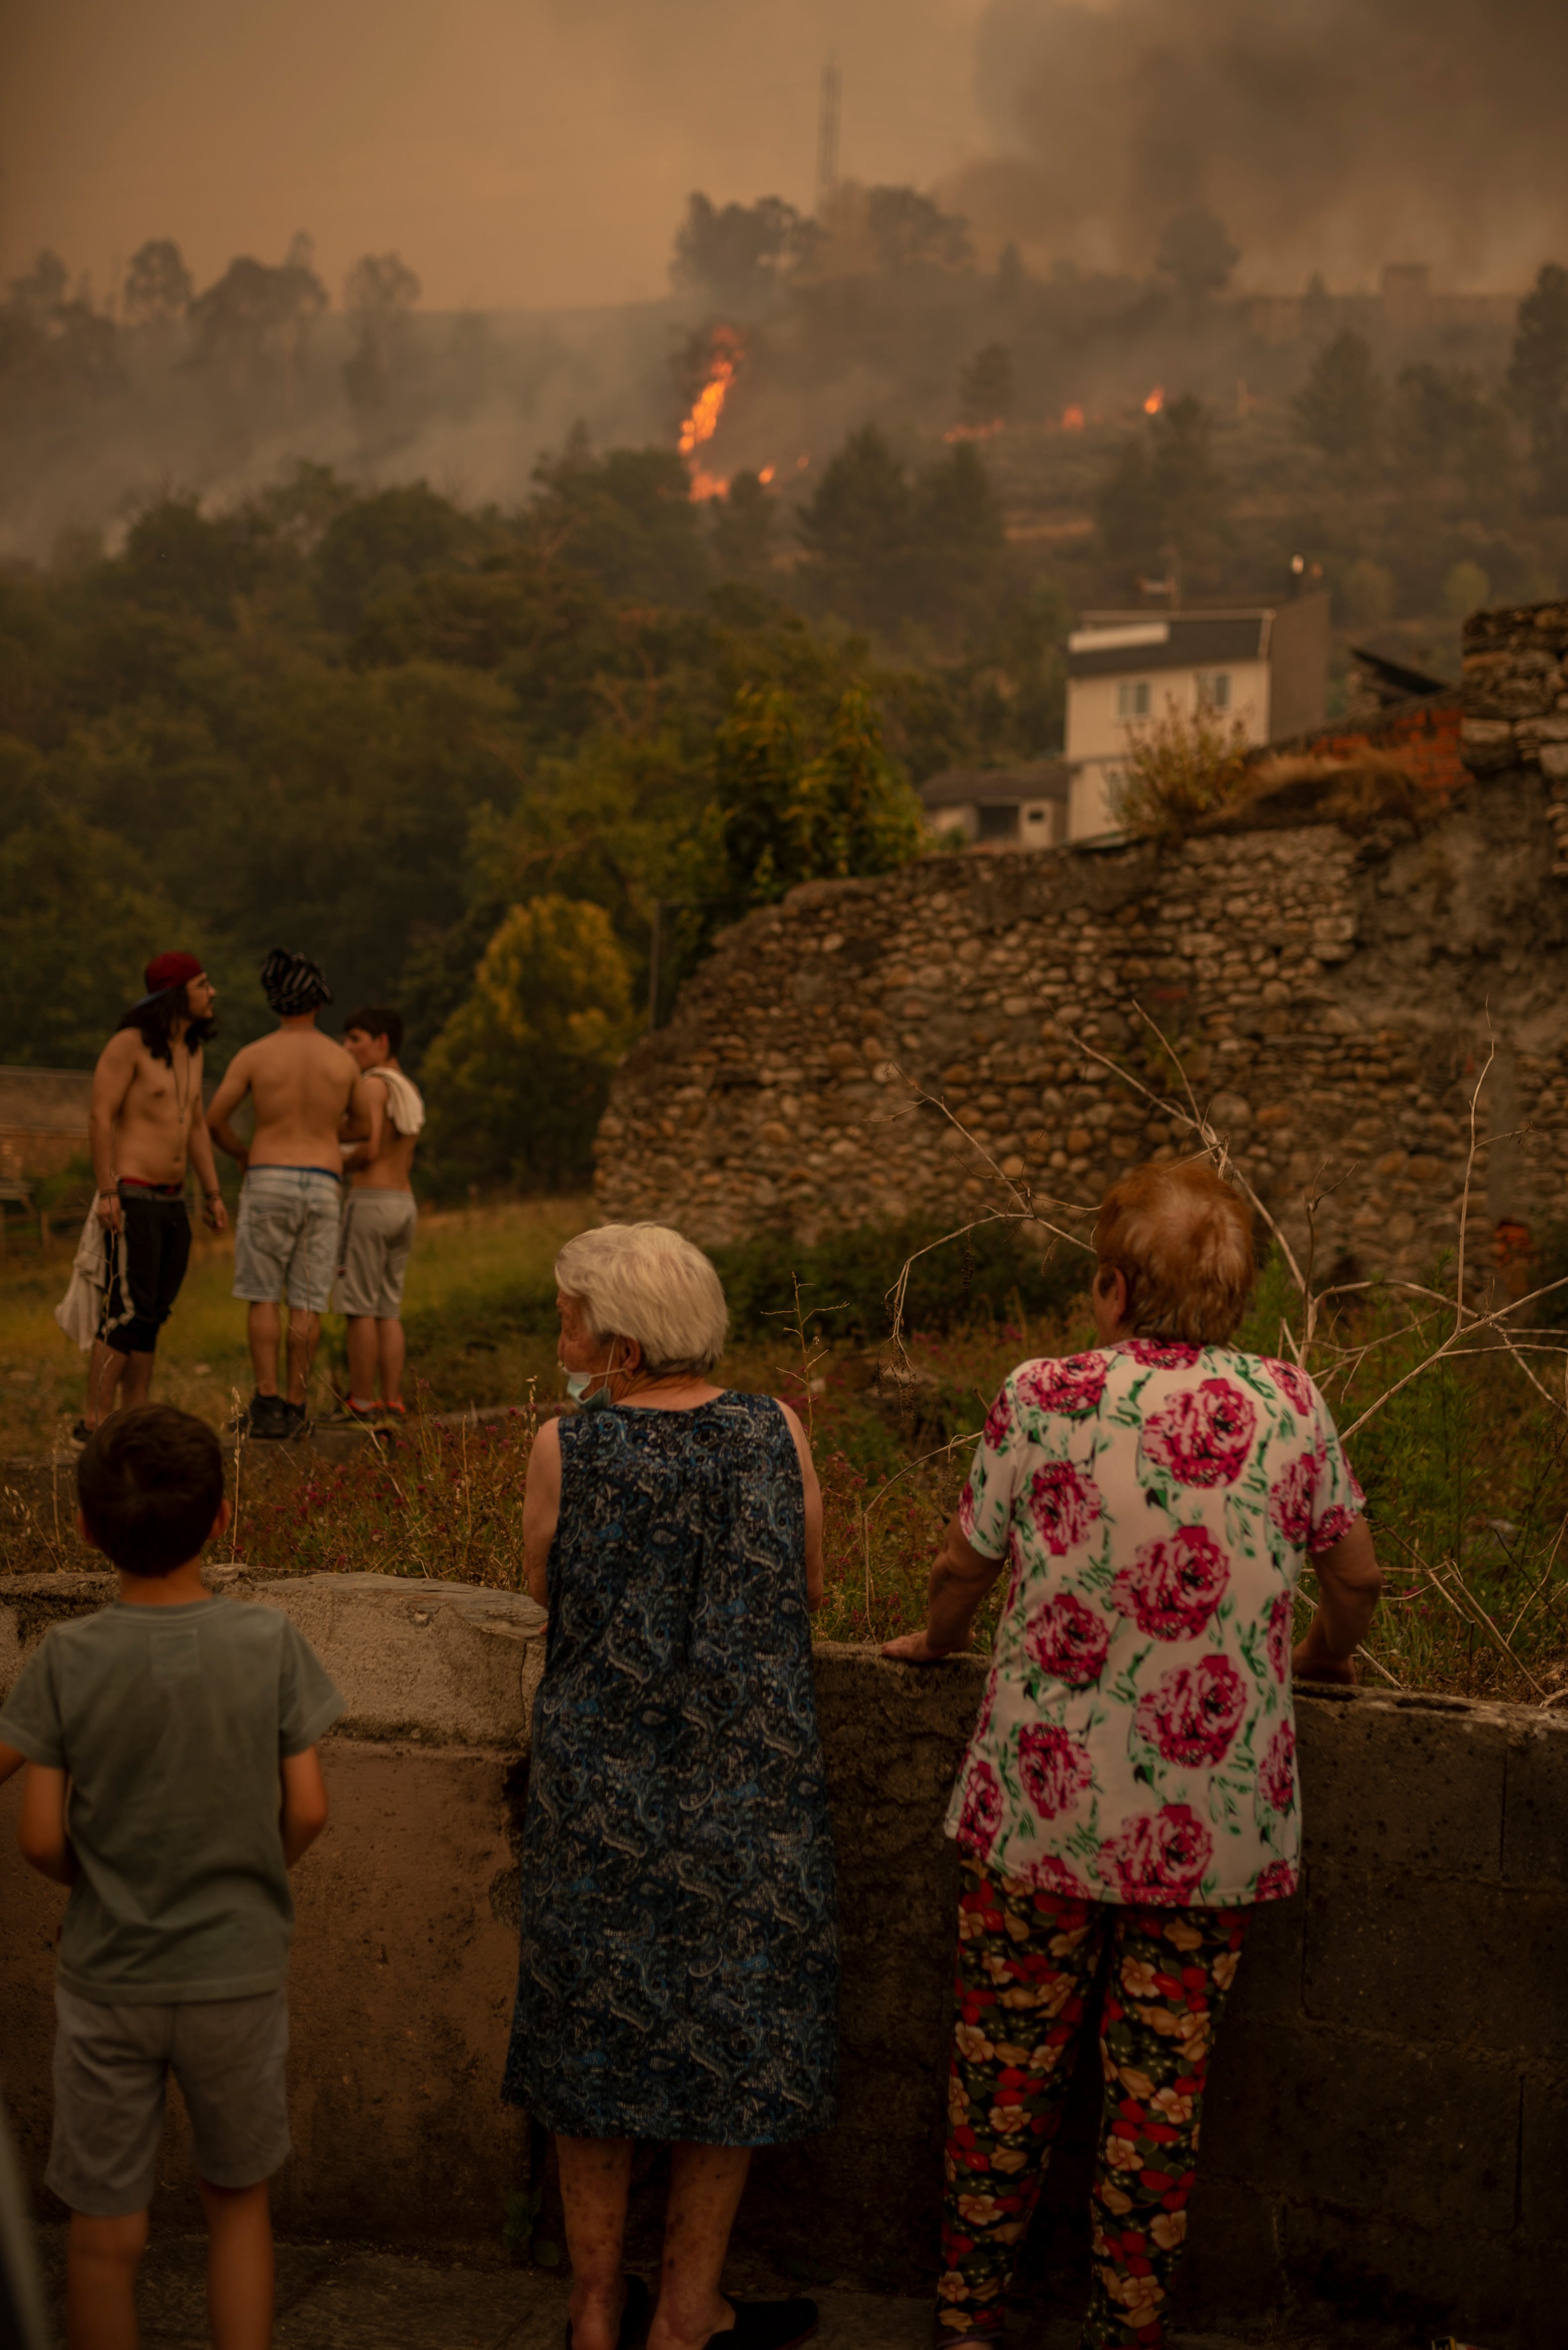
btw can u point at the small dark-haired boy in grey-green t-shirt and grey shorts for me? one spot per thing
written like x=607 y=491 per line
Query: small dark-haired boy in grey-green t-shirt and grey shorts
x=173 y=1785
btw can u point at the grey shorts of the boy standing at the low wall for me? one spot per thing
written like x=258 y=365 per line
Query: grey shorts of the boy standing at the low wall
x=112 y=2067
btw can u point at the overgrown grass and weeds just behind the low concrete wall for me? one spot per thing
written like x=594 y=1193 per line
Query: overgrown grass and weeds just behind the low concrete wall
x=1466 y=1468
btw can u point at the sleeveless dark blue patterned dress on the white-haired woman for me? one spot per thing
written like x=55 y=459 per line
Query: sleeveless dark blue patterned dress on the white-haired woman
x=681 y=1963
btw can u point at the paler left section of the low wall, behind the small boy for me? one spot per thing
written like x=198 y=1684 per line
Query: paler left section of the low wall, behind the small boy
x=406 y=1952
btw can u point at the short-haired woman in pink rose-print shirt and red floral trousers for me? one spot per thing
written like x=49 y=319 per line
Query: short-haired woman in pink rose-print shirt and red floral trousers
x=1132 y=1773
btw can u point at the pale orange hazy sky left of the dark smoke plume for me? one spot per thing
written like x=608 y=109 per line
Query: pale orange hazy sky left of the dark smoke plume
x=514 y=152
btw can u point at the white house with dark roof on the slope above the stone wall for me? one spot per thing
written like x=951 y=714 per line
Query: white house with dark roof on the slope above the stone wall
x=1266 y=666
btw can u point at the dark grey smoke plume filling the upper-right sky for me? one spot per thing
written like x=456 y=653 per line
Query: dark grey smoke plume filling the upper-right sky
x=1329 y=135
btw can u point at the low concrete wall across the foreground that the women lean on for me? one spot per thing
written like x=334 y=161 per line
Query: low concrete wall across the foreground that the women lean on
x=1391 y=2100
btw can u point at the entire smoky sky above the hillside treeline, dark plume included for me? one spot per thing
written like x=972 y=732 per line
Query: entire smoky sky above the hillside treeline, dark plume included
x=540 y=156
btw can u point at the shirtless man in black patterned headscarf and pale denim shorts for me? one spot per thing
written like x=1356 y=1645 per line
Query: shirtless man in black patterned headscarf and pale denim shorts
x=302 y=1089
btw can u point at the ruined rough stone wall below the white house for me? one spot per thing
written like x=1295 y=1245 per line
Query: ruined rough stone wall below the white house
x=1332 y=993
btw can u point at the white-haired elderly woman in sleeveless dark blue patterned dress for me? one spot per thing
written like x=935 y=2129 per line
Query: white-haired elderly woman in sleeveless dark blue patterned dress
x=681 y=1961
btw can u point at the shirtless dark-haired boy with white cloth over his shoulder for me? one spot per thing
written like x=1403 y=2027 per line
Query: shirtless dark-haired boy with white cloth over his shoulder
x=380 y=1221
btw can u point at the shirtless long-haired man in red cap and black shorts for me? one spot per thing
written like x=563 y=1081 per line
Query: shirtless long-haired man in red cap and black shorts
x=145 y=1124
